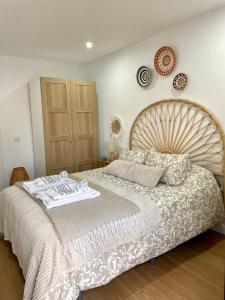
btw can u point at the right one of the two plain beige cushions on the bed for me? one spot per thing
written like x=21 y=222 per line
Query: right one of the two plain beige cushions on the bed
x=144 y=175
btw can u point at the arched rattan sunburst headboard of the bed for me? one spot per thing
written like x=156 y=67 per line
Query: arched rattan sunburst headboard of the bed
x=181 y=126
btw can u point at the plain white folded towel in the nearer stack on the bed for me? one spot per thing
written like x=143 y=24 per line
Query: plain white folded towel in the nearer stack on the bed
x=49 y=202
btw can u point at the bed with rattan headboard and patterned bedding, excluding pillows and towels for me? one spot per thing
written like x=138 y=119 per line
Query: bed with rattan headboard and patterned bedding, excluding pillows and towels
x=148 y=223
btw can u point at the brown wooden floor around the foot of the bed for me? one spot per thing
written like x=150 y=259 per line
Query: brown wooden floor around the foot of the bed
x=194 y=270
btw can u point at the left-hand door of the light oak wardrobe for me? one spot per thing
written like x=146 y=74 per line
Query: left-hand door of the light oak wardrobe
x=57 y=125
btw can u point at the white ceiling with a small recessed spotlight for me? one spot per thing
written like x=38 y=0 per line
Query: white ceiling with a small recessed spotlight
x=58 y=29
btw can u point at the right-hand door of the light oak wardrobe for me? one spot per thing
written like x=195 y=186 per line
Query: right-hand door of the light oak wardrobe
x=84 y=125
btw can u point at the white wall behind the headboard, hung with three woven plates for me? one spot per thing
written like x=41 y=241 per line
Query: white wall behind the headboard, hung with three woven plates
x=200 y=50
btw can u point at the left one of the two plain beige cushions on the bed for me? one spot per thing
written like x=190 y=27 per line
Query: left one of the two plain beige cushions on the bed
x=118 y=168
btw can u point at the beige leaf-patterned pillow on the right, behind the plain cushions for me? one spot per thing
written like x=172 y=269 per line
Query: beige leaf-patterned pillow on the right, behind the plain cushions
x=176 y=166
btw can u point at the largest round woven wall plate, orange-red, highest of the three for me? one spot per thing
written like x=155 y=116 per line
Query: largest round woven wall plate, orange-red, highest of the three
x=165 y=60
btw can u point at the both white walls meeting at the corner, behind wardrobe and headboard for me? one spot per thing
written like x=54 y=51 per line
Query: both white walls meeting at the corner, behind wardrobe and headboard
x=200 y=49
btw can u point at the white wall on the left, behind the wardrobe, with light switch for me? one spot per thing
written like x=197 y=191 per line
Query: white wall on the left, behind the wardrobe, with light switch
x=15 y=118
